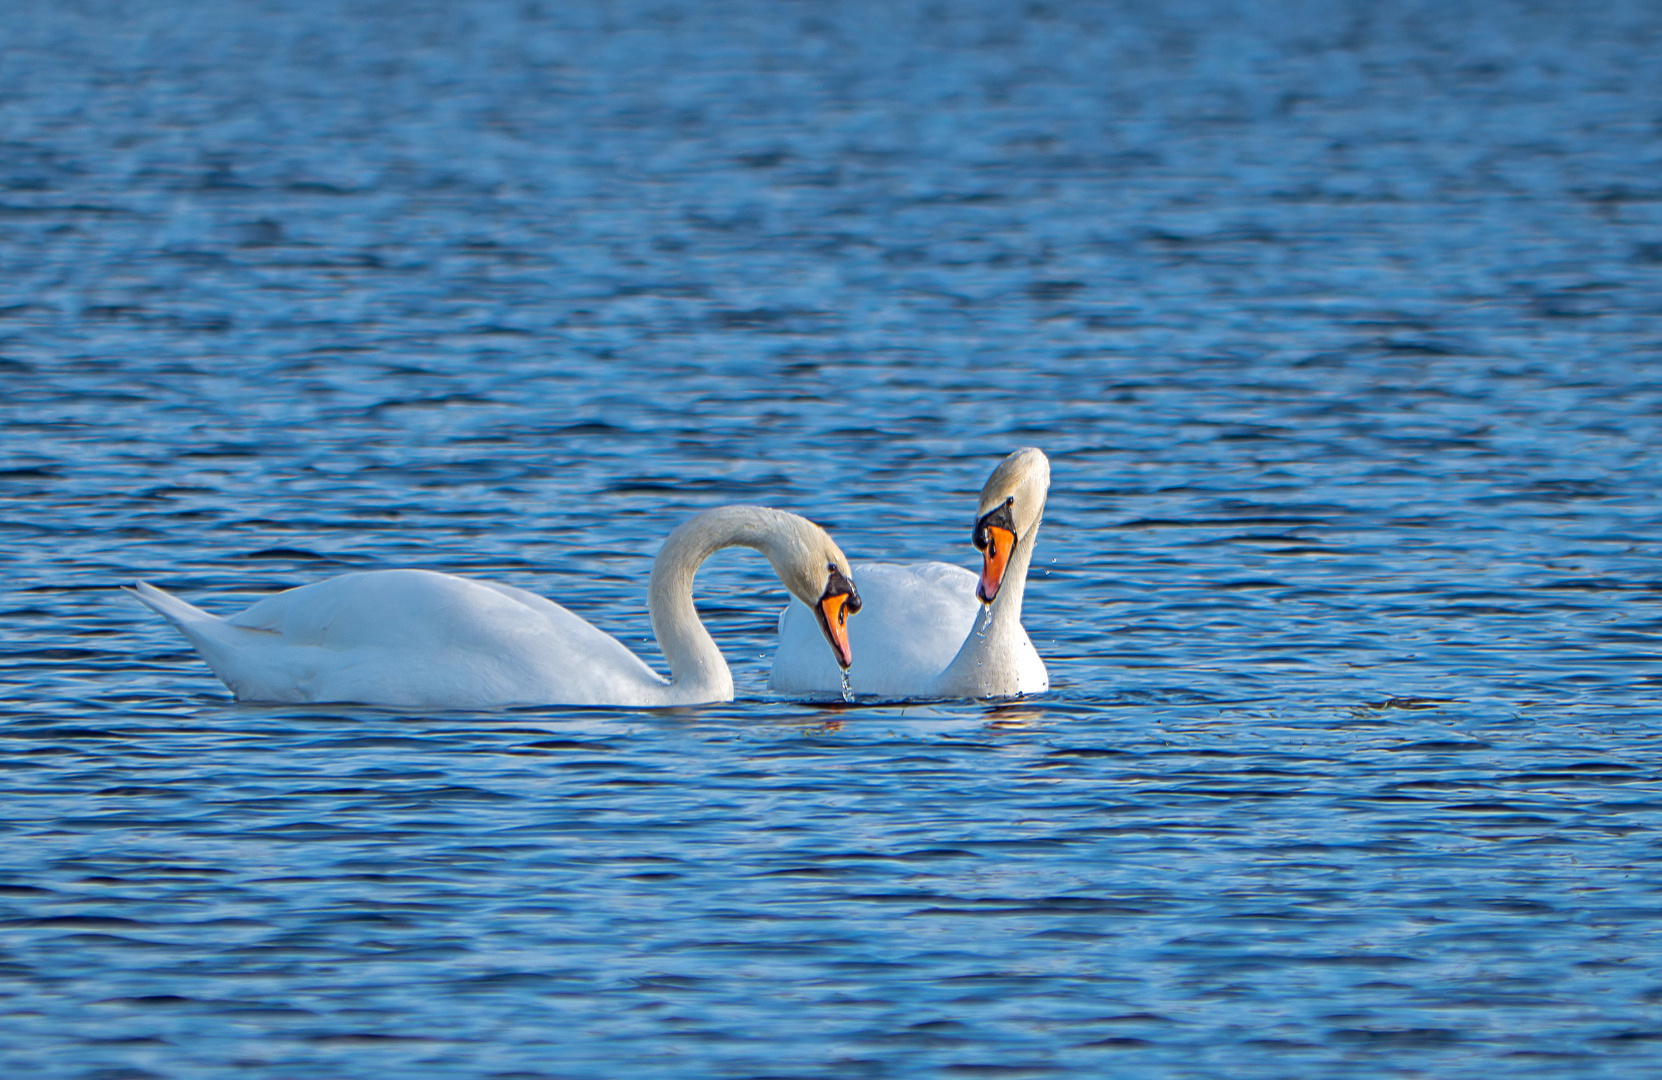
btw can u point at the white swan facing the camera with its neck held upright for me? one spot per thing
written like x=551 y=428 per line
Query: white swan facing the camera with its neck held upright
x=932 y=631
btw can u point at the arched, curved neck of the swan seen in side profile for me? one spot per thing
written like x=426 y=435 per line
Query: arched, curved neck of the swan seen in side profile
x=697 y=669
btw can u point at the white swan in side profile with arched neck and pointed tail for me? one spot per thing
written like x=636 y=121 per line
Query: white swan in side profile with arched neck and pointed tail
x=423 y=641
